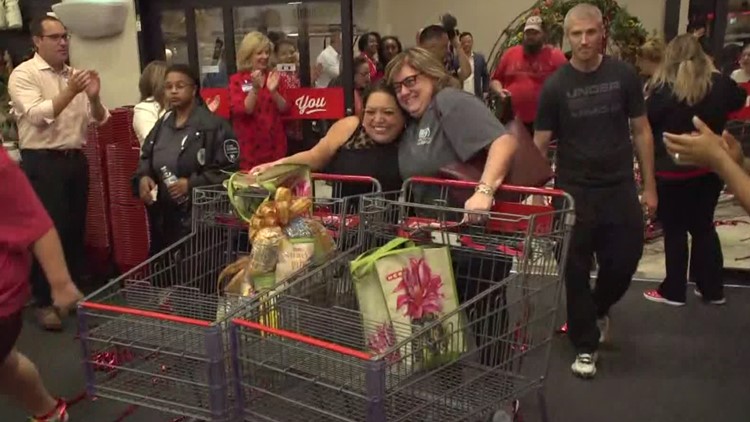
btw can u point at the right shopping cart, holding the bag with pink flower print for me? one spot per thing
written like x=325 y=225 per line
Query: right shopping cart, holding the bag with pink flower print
x=312 y=362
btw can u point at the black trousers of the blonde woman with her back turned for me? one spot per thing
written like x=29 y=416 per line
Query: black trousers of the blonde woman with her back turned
x=687 y=206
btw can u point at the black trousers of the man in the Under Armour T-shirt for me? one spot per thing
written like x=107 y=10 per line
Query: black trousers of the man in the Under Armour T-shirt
x=609 y=225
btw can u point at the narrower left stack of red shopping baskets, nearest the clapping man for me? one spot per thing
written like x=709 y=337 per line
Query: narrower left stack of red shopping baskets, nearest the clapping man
x=98 y=239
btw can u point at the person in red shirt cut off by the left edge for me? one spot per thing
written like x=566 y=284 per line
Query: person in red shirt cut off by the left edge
x=26 y=229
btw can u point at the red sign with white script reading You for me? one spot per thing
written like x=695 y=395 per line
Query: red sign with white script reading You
x=315 y=103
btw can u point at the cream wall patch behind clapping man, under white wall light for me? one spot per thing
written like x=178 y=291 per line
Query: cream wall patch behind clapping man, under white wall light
x=117 y=61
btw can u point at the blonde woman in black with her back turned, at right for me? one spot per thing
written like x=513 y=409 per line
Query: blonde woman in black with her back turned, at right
x=686 y=85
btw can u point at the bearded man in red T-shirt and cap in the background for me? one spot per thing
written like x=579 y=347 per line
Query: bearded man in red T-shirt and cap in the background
x=524 y=68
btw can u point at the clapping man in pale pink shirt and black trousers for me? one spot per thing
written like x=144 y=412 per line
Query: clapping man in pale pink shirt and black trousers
x=54 y=105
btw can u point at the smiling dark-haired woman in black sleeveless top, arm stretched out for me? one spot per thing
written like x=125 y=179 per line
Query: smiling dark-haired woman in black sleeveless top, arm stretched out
x=357 y=147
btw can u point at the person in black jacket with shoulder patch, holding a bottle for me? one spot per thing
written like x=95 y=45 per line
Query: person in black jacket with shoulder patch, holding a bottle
x=188 y=147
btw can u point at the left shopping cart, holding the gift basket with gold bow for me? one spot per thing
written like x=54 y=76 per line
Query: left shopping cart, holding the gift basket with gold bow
x=154 y=337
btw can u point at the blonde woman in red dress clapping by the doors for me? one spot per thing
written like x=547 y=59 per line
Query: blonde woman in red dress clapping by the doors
x=257 y=104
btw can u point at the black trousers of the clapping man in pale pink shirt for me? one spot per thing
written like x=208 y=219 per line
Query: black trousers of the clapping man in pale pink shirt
x=61 y=181
